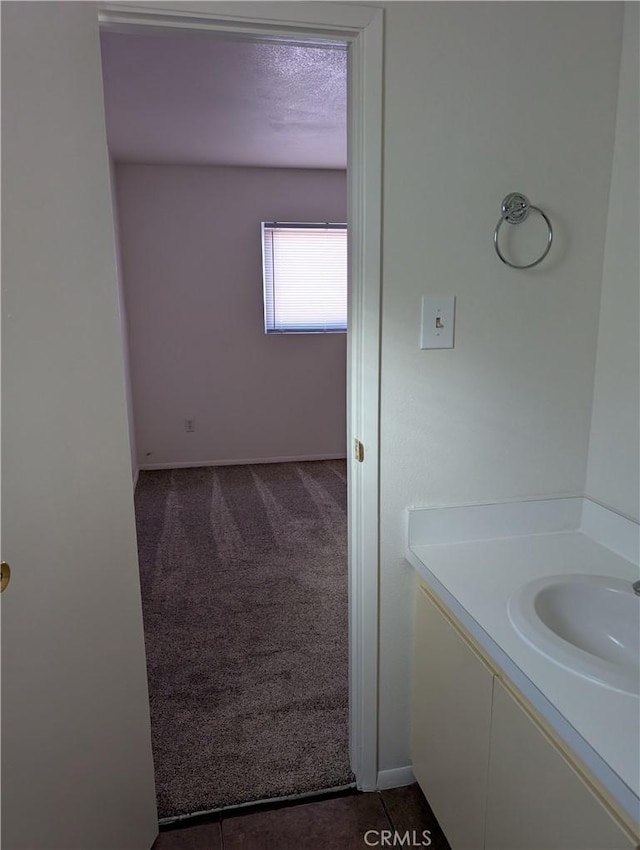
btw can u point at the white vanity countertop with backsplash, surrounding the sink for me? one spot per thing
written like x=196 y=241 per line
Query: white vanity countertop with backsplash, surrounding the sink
x=475 y=579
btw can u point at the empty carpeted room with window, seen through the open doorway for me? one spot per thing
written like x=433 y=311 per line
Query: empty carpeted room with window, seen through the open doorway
x=229 y=186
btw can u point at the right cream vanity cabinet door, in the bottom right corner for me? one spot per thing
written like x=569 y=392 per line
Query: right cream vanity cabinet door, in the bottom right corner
x=536 y=801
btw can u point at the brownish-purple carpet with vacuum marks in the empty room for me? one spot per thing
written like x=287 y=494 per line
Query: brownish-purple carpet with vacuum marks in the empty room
x=244 y=587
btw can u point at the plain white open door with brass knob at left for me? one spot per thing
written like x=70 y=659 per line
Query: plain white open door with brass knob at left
x=77 y=770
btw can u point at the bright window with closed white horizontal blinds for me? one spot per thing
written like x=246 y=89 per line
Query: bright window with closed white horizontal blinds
x=305 y=277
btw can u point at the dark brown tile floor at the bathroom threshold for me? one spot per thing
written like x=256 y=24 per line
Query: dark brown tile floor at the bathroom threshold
x=347 y=821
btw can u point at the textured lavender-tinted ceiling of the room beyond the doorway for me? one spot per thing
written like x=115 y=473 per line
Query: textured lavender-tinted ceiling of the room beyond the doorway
x=177 y=99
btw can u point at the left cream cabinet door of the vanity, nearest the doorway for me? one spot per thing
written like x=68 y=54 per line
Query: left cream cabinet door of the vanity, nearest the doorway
x=450 y=725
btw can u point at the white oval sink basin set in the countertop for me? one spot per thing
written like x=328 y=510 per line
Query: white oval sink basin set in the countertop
x=587 y=624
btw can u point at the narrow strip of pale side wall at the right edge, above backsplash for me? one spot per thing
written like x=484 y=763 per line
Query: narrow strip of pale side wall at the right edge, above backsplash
x=613 y=475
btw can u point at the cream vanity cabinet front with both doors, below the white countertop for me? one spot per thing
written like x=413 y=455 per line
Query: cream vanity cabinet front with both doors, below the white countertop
x=494 y=776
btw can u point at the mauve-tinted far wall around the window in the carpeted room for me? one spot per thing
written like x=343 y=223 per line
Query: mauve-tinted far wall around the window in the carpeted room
x=192 y=266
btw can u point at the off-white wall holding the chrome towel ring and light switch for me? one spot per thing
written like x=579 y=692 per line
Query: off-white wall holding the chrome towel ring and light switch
x=482 y=99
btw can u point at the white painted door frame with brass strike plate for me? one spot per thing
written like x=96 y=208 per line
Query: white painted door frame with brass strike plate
x=361 y=28
